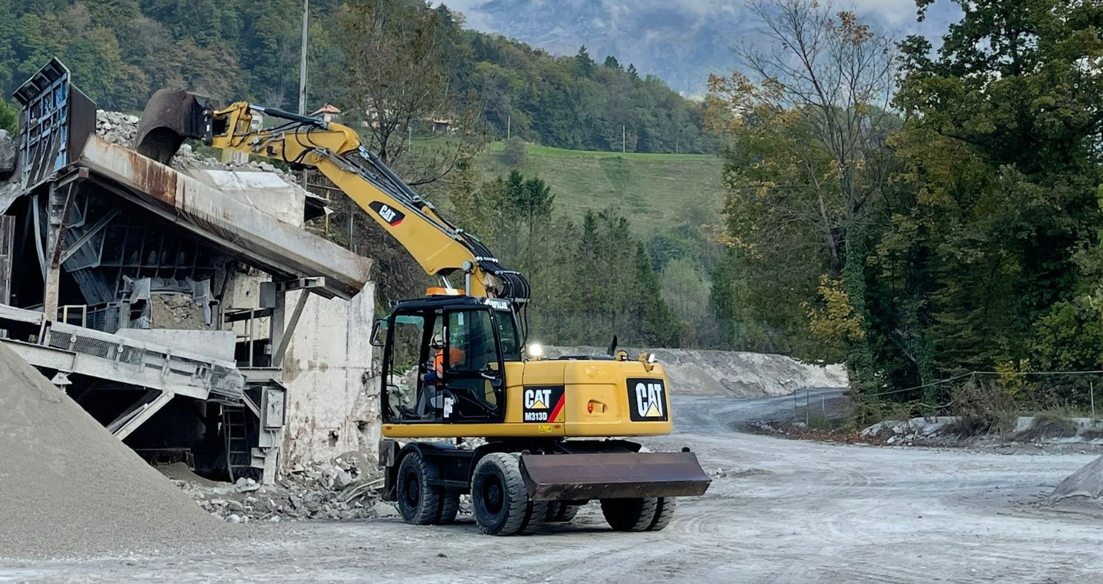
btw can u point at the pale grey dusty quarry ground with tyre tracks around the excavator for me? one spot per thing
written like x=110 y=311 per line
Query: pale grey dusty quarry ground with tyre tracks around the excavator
x=779 y=511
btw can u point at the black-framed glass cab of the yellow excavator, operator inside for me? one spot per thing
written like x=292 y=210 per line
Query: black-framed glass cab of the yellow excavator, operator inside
x=445 y=360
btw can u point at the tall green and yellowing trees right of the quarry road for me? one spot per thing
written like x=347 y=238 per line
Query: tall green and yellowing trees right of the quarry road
x=936 y=214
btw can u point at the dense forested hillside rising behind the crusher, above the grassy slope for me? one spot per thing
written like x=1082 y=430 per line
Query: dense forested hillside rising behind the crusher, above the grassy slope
x=121 y=51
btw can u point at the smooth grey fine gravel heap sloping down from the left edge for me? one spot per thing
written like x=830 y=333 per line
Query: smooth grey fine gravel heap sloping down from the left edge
x=68 y=487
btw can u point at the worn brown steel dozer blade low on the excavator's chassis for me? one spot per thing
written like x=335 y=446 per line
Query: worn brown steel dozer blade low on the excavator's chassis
x=560 y=477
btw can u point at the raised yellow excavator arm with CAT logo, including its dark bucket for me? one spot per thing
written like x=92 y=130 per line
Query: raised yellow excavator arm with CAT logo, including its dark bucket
x=440 y=248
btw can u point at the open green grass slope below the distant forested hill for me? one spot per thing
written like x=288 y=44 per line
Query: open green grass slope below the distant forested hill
x=651 y=190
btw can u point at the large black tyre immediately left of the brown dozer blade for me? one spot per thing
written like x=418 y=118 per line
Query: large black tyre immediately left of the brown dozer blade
x=498 y=495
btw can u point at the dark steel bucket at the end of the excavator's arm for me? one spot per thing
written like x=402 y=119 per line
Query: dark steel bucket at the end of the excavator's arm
x=172 y=116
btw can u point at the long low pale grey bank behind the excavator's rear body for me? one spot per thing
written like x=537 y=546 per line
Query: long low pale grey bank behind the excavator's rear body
x=732 y=374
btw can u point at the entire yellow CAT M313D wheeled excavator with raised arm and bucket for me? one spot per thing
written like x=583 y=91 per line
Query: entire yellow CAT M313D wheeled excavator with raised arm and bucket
x=550 y=434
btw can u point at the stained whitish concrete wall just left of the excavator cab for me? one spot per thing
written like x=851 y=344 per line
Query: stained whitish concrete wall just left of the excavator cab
x=333 y=388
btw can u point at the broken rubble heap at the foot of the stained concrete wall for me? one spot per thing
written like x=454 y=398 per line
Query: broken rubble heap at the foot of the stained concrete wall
x=345 y=491
